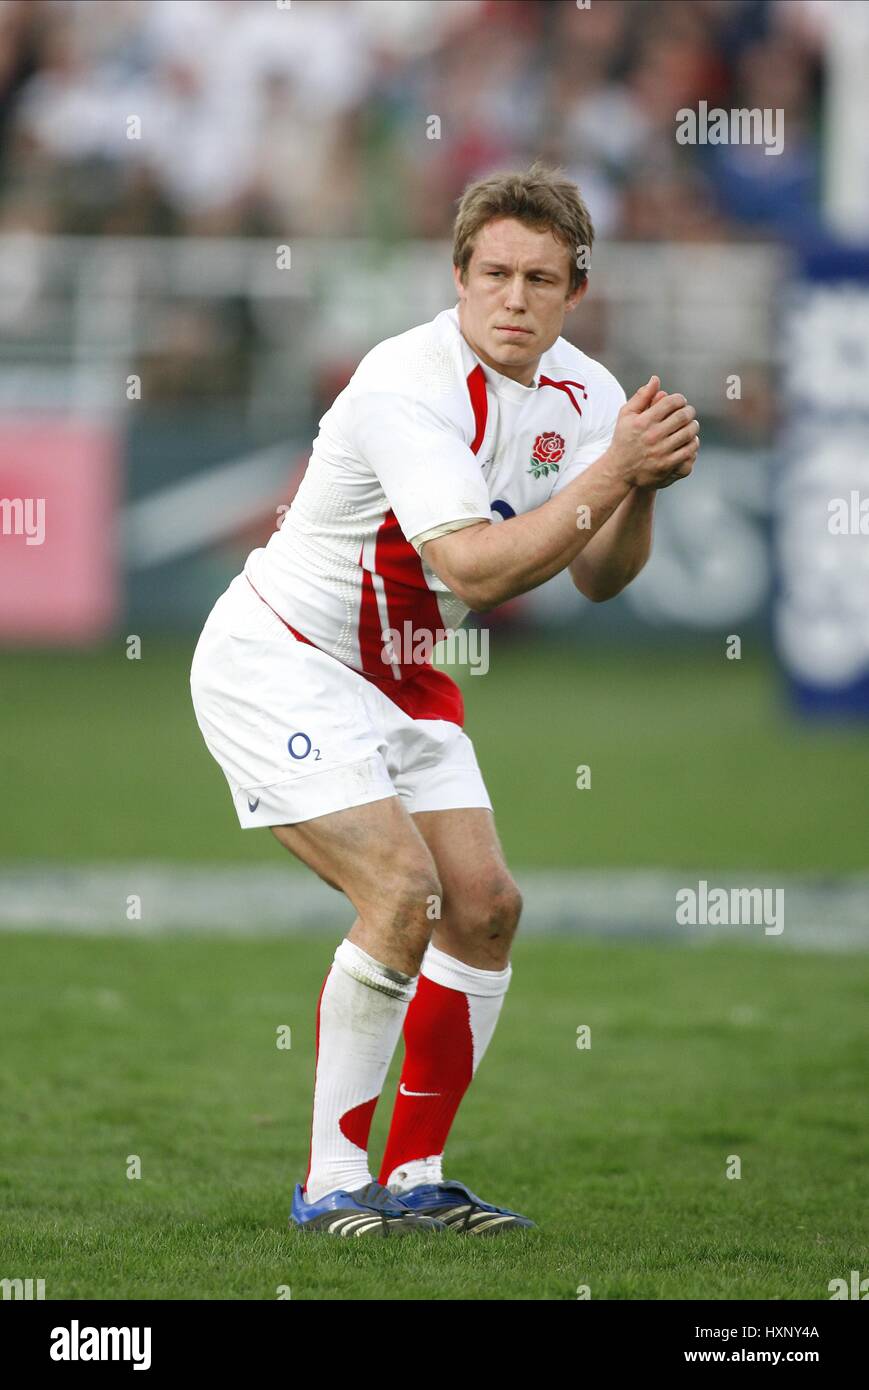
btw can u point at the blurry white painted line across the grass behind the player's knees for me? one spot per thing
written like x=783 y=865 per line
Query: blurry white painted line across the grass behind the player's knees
x=822 y=914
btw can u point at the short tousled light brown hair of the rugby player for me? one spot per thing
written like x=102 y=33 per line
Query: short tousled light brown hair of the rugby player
x=542 y=198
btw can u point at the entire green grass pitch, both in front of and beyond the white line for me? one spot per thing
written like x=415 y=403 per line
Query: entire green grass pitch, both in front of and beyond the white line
x=166 y=1049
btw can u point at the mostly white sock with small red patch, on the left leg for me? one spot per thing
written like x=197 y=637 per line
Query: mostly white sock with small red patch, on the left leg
x=359 y=1022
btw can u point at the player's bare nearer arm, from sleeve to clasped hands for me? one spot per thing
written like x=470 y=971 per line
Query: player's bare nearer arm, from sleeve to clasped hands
x=486 y=565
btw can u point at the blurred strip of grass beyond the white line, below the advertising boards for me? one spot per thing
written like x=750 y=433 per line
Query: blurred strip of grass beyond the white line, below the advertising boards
x=696 y=762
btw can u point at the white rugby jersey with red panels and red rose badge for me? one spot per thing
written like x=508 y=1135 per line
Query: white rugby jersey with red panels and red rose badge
x=423 y=440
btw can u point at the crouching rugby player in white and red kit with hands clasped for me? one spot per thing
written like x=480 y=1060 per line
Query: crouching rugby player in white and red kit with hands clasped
x=469 y=461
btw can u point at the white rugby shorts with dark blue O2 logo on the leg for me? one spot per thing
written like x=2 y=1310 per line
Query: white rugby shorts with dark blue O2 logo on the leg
x=300 y=735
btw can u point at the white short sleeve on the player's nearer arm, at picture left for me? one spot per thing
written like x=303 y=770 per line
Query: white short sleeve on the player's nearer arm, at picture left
x=428 y=472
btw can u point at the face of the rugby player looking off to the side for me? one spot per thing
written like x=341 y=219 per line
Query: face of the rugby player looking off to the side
x=517 y=280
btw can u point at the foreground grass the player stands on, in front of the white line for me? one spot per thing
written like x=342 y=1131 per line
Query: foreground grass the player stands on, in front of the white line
x=166 y=1049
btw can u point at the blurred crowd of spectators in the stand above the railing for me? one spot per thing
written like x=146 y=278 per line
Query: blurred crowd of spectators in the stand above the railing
x=368 y=117
